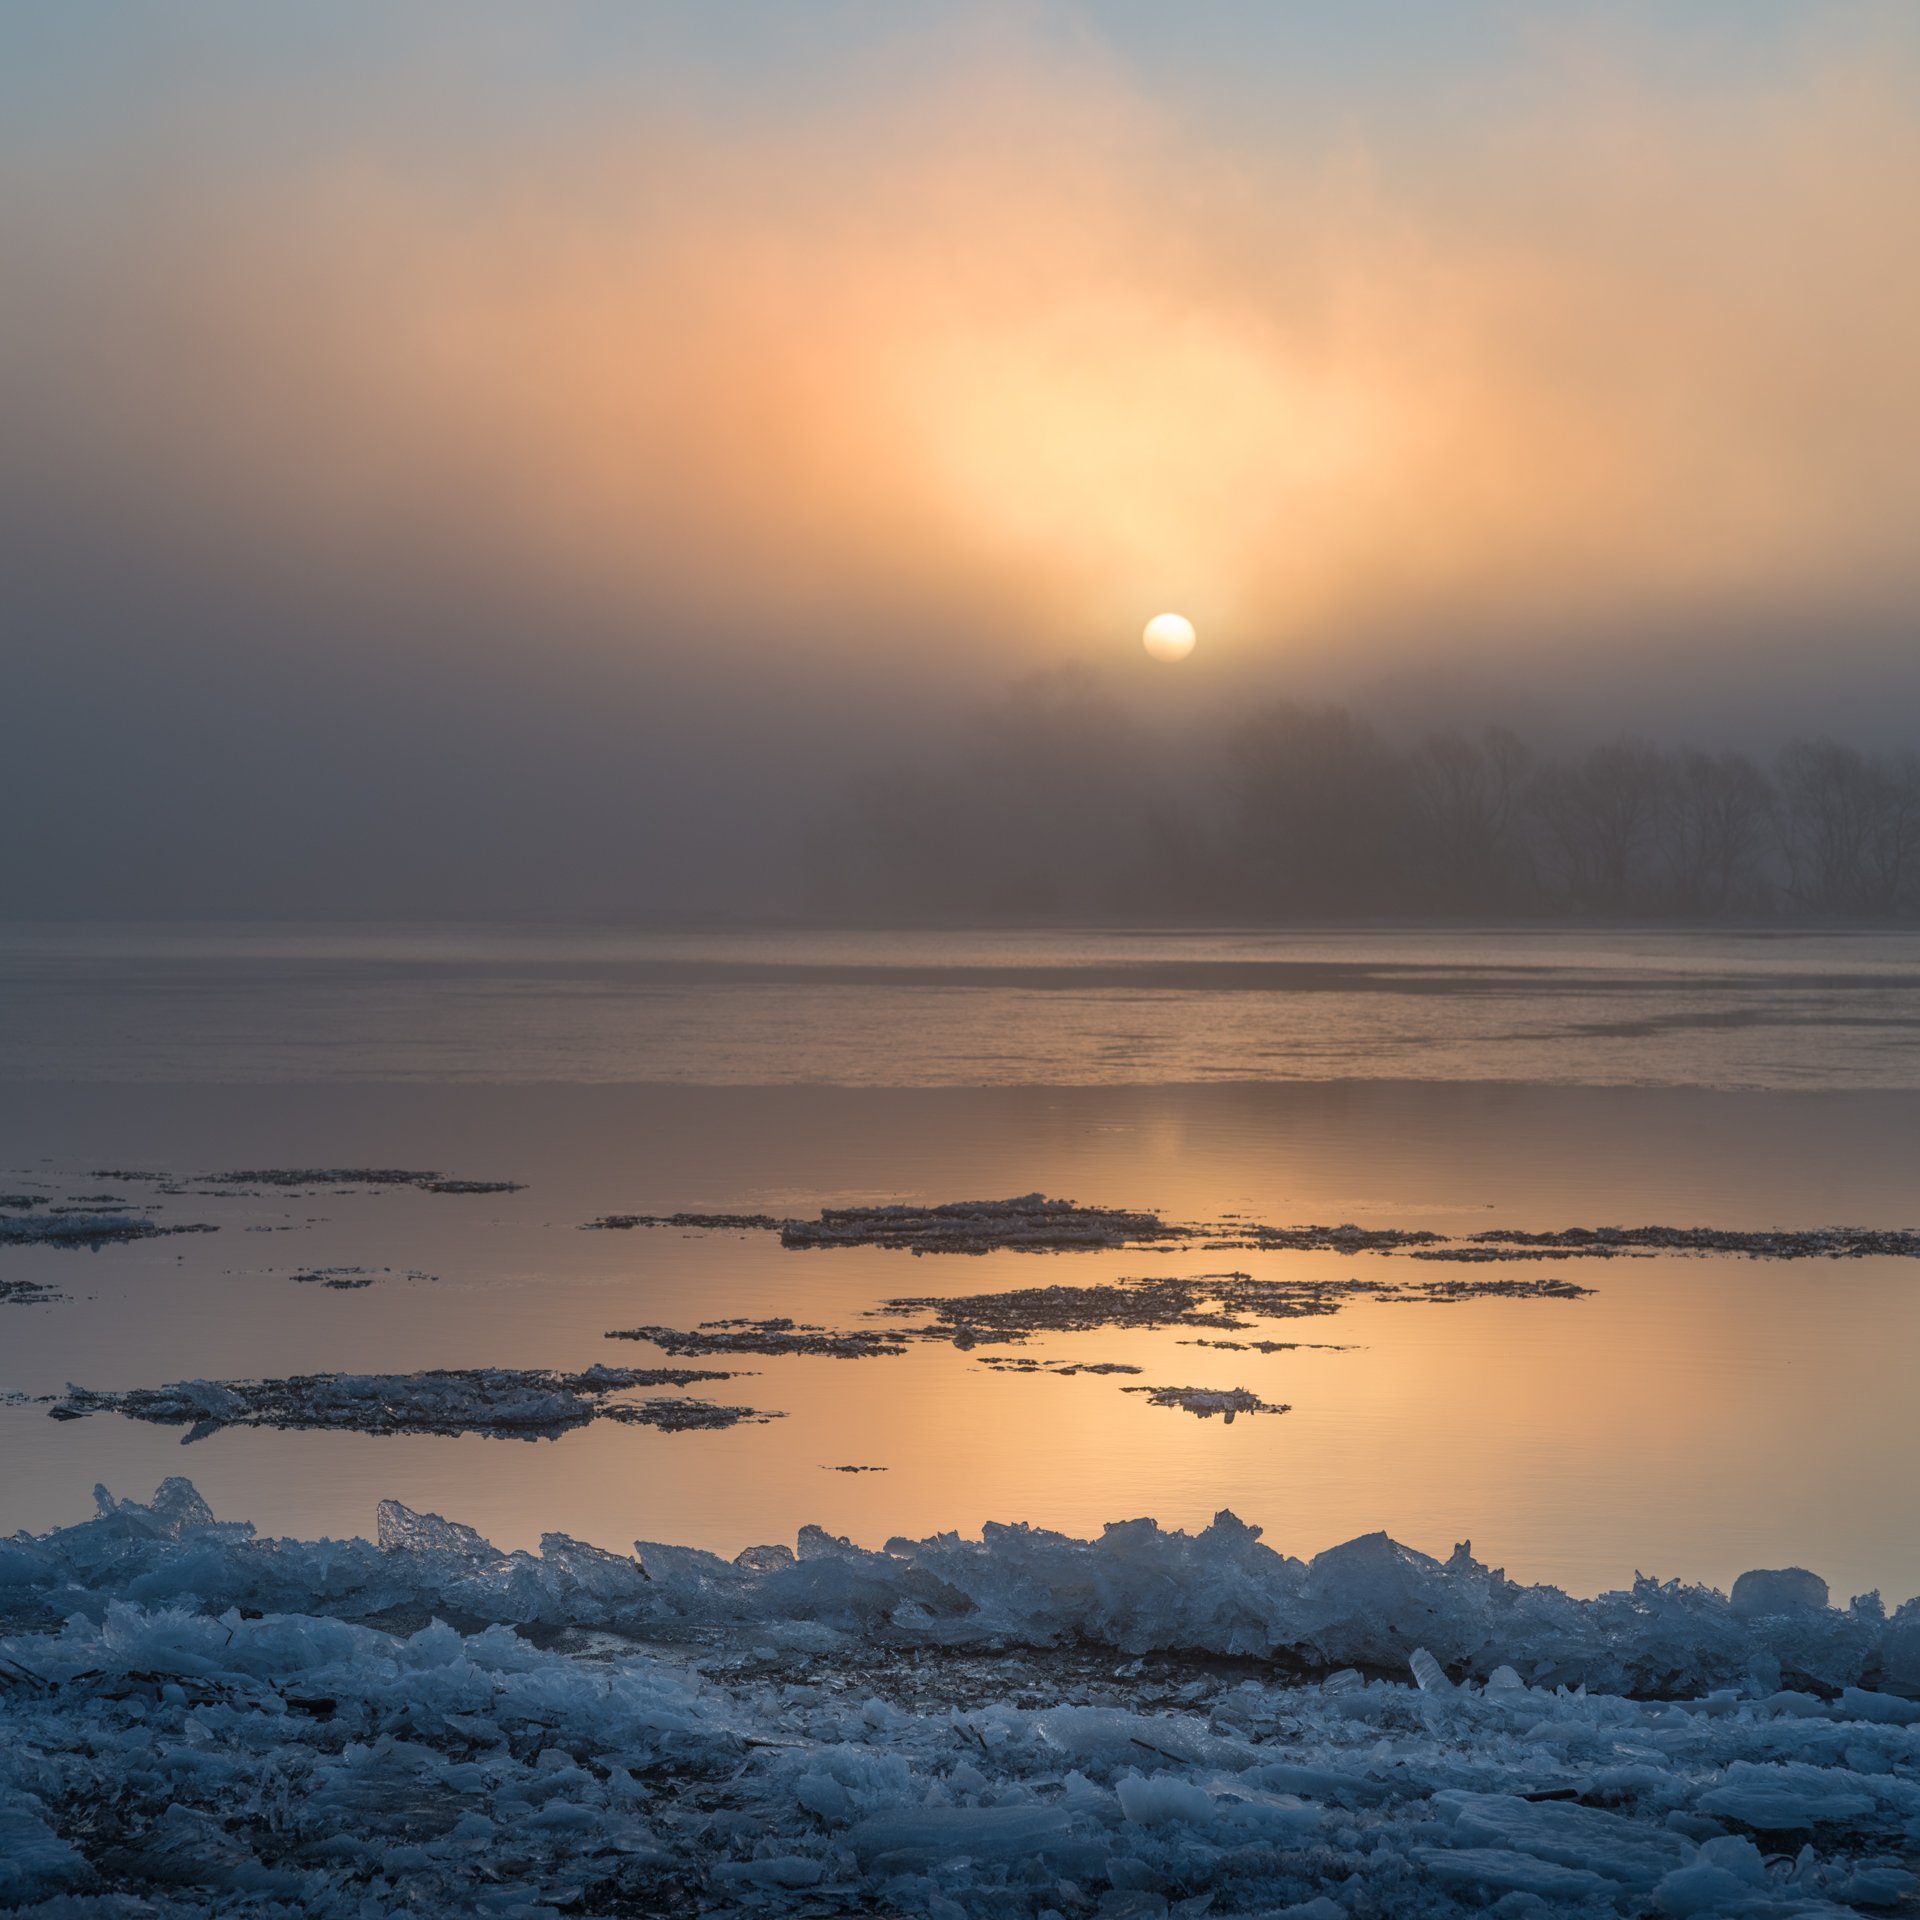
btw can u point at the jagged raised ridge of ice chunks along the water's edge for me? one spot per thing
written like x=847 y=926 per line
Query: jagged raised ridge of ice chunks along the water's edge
x=1138 y=1589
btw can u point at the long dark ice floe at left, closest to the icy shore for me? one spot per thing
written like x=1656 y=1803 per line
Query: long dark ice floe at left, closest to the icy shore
x=506 y=1403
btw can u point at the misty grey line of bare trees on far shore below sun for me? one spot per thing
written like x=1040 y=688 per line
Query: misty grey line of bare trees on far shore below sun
x=1059 y=805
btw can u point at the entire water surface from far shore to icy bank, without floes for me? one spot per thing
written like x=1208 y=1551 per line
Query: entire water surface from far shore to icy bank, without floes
x=1692 y=1418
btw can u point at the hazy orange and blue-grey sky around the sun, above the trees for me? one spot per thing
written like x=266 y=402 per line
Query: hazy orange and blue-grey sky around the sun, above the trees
x=466 y=458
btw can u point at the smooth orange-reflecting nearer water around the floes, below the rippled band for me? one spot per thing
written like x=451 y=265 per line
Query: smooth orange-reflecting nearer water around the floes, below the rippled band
x=1692 y=1418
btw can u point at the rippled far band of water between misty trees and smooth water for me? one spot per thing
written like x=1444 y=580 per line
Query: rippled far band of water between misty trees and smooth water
x=957 y=1011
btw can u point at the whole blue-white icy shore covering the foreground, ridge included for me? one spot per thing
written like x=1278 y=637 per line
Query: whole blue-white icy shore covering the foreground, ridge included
x=197 y=1721
